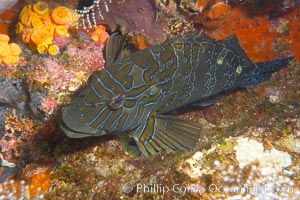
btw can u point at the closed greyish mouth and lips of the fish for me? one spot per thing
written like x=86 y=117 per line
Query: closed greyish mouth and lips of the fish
x=75 y=129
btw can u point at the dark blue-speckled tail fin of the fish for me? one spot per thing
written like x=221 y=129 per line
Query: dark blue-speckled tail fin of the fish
x=263 y=71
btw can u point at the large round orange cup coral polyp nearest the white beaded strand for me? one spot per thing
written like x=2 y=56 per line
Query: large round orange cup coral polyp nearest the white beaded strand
x=61 y=15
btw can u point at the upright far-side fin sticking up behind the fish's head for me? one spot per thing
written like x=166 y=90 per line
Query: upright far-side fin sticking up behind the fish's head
x=114 y=47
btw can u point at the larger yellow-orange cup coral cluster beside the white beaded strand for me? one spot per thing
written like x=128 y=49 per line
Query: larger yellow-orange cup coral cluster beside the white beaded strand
x=38 y=26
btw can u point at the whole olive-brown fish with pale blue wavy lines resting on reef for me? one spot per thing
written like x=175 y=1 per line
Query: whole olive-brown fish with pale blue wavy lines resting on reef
x=135 y=94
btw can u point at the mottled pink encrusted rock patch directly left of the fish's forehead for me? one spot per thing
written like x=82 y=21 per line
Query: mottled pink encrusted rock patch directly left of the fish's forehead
x=67 y=73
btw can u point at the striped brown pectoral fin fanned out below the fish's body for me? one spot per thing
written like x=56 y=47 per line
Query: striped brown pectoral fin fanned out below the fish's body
x=166 y=133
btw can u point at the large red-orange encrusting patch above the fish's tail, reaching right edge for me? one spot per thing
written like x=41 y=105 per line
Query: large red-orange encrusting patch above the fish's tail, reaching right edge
x=259 y=35
